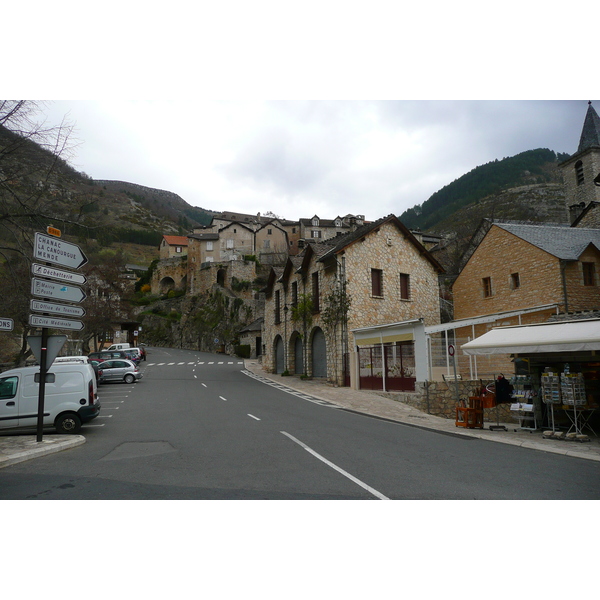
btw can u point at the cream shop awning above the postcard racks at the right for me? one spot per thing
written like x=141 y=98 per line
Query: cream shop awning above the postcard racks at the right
x=570 y=336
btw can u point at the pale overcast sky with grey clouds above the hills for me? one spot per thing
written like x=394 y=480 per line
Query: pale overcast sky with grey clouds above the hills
x=300 y=158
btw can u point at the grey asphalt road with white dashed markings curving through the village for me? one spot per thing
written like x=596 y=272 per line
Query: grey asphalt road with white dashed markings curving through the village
x=197 y=427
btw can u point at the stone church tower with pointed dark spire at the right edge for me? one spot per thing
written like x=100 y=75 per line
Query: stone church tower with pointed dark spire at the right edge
x=581 y=172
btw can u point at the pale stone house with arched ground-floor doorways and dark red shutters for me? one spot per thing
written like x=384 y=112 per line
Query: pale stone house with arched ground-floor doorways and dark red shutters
x=392 y=283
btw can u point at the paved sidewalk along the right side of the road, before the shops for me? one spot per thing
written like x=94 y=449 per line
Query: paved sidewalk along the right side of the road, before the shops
x=372 y=404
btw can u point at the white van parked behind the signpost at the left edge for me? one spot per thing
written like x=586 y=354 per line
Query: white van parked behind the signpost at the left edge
x=70 y=399
